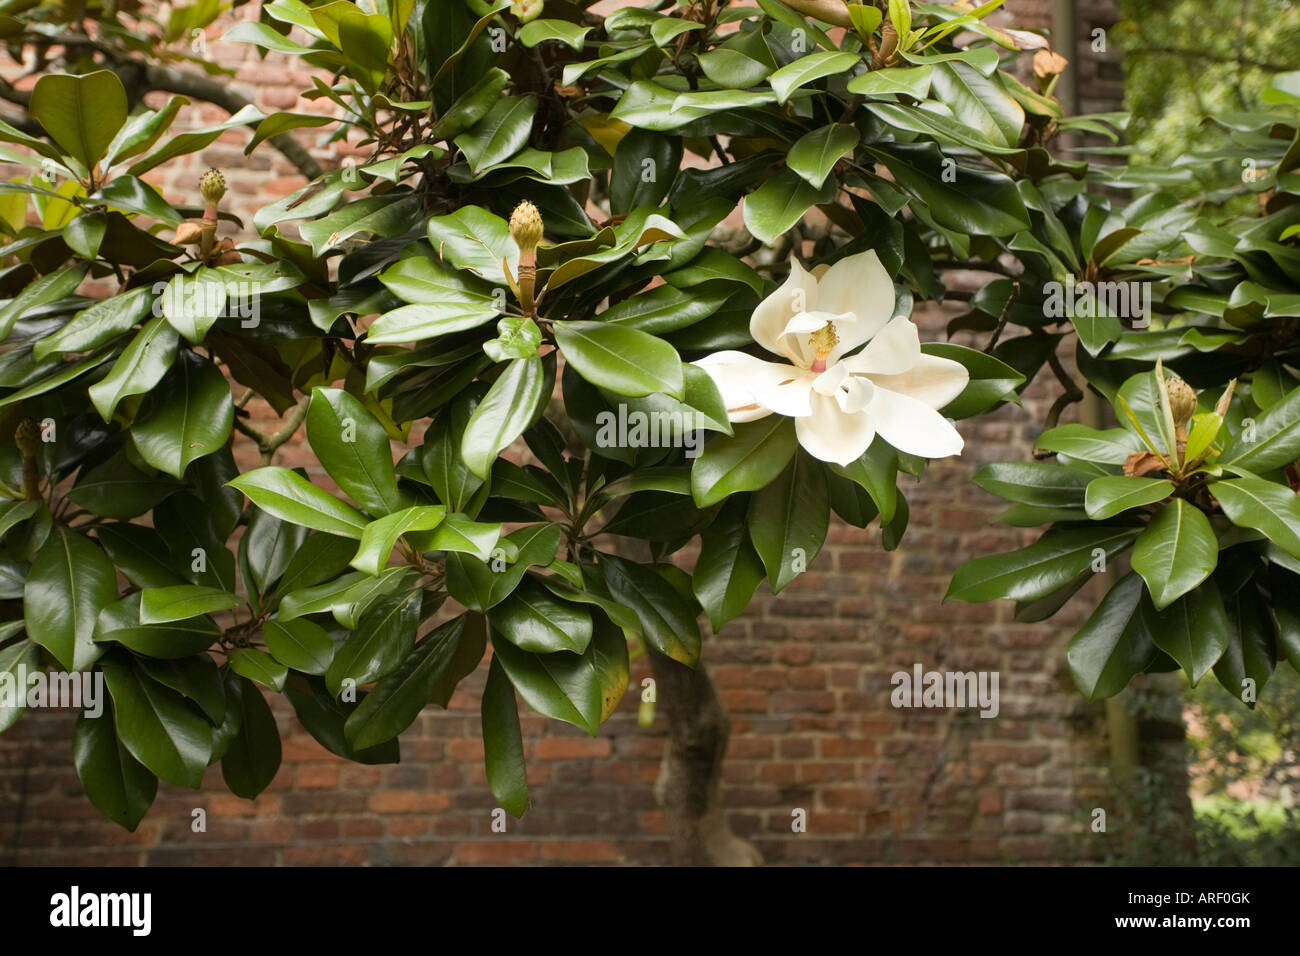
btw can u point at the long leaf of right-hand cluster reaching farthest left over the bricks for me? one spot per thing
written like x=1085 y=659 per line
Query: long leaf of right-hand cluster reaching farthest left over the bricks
x=1045 y=568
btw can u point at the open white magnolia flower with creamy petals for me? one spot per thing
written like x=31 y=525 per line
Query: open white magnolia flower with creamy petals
x=840 y=403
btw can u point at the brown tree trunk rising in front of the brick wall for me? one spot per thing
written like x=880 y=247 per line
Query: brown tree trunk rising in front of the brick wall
x=691 y=776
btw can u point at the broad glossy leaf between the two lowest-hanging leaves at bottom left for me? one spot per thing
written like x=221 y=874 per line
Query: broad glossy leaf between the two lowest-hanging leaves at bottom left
x=157 y=725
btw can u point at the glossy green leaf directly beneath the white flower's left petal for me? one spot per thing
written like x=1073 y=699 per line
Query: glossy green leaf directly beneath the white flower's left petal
x=746 y=461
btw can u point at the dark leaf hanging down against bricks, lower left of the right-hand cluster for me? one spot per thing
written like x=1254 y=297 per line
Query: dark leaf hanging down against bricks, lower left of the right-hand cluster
x=1115 y=644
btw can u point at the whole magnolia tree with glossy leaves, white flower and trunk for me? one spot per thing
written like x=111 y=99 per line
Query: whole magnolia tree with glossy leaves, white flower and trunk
x=532 y=267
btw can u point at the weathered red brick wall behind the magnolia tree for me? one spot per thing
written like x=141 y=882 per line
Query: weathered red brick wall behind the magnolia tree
x=804 y=676
